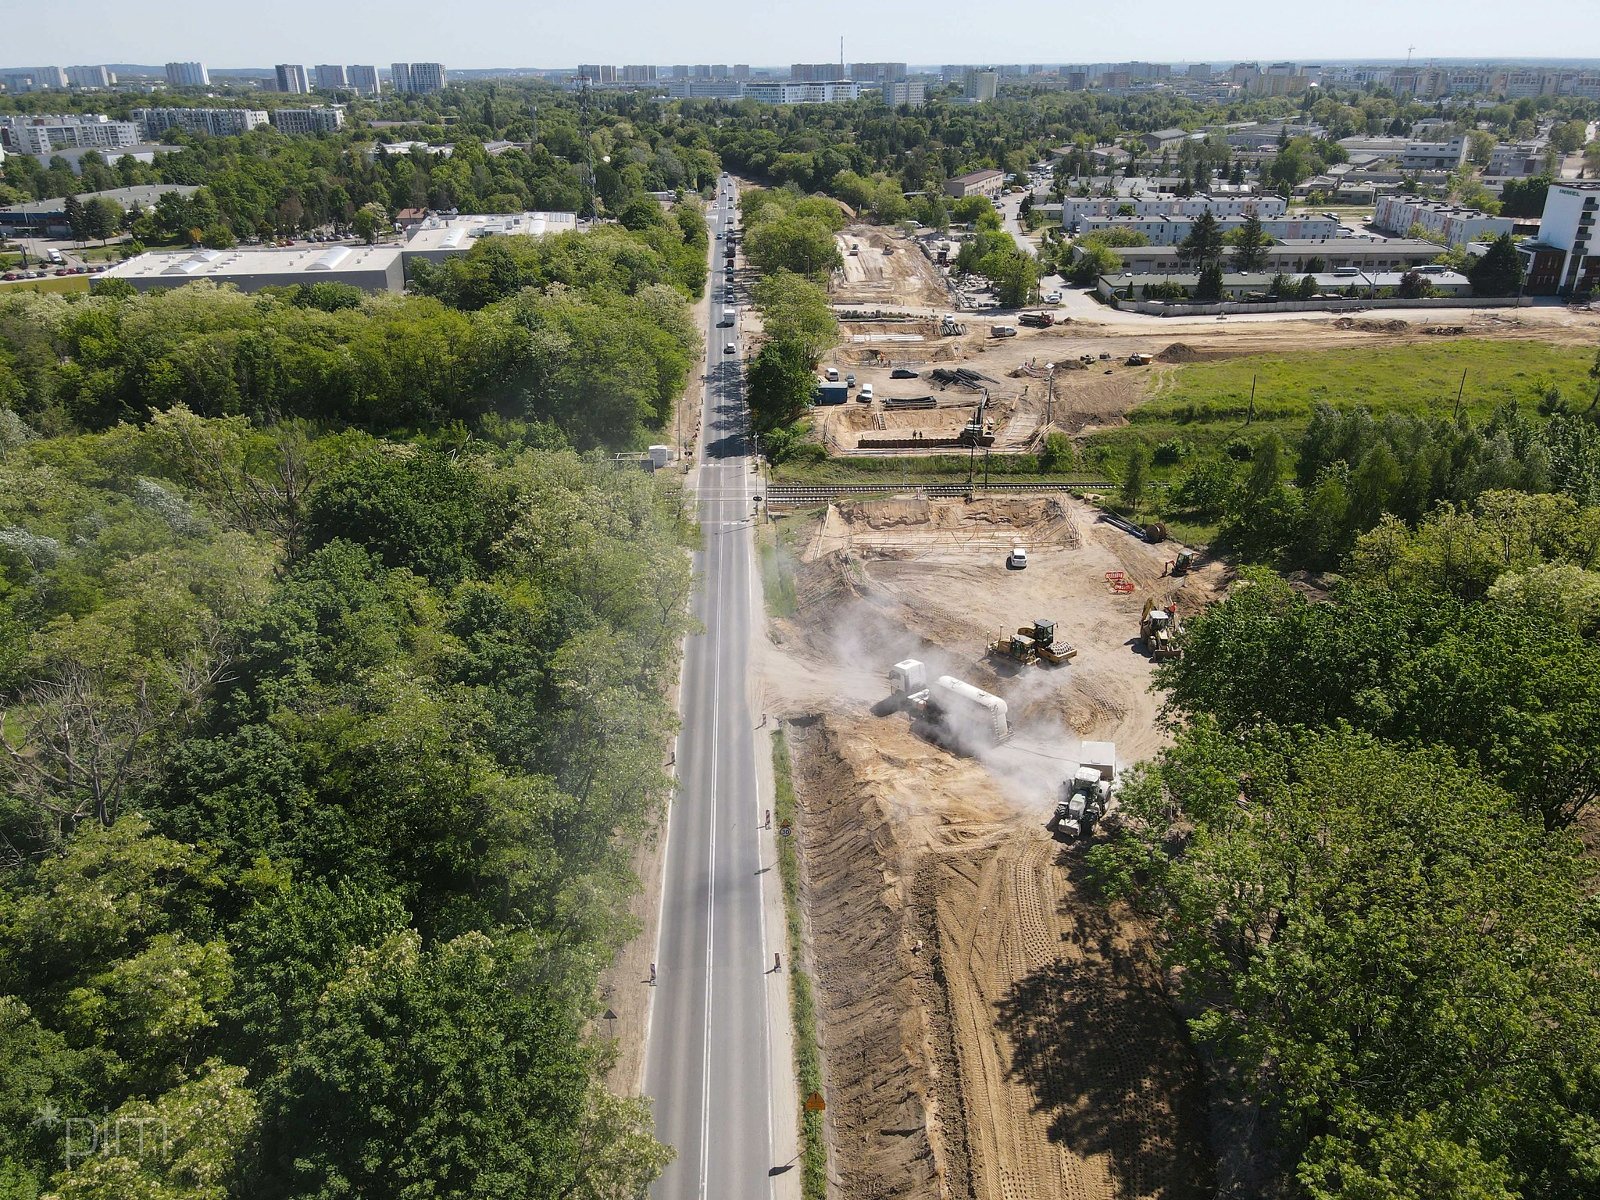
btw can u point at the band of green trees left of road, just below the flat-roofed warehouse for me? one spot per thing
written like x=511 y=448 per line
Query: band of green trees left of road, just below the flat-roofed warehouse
x=585 y=332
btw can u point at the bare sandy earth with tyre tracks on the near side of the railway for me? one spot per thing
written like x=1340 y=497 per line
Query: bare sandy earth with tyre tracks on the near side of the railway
x=990 y=1031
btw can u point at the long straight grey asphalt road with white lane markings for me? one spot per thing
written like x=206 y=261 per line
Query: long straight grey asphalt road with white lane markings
x=708 y=1065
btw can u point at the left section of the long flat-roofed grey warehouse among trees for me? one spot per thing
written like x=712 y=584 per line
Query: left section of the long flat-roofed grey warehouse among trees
x=252 y=270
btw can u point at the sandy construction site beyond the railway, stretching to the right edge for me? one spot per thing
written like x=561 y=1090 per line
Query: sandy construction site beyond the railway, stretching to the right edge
x=924 y=378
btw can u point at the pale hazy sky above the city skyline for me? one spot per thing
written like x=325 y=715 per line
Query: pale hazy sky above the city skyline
x=516 y=33
